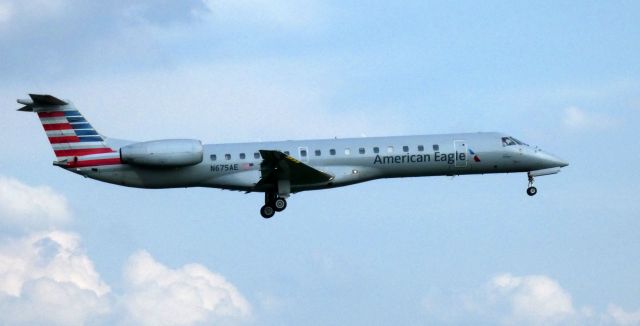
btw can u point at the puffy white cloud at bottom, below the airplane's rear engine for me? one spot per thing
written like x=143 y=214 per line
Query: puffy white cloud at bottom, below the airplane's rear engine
x=158 y=295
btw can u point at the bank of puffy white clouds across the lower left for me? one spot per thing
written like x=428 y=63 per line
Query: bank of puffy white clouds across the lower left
x=46 y=277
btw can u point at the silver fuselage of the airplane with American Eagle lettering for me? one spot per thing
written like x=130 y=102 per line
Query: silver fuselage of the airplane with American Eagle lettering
x=349 y=161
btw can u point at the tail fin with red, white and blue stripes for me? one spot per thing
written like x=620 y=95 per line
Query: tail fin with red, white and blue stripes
x=69 y=133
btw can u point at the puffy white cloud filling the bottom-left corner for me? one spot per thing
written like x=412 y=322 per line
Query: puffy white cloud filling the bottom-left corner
x=47 y=278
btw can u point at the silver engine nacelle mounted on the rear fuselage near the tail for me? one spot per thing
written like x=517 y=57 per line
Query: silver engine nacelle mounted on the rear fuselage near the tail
x=169 y=153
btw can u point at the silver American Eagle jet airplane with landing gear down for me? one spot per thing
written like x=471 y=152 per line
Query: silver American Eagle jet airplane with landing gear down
x=278 y=169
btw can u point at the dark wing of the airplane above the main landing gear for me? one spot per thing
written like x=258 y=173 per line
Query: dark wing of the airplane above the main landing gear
x=280 y=166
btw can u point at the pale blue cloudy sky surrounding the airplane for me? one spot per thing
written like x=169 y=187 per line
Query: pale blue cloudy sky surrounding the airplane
x=562 y=75
